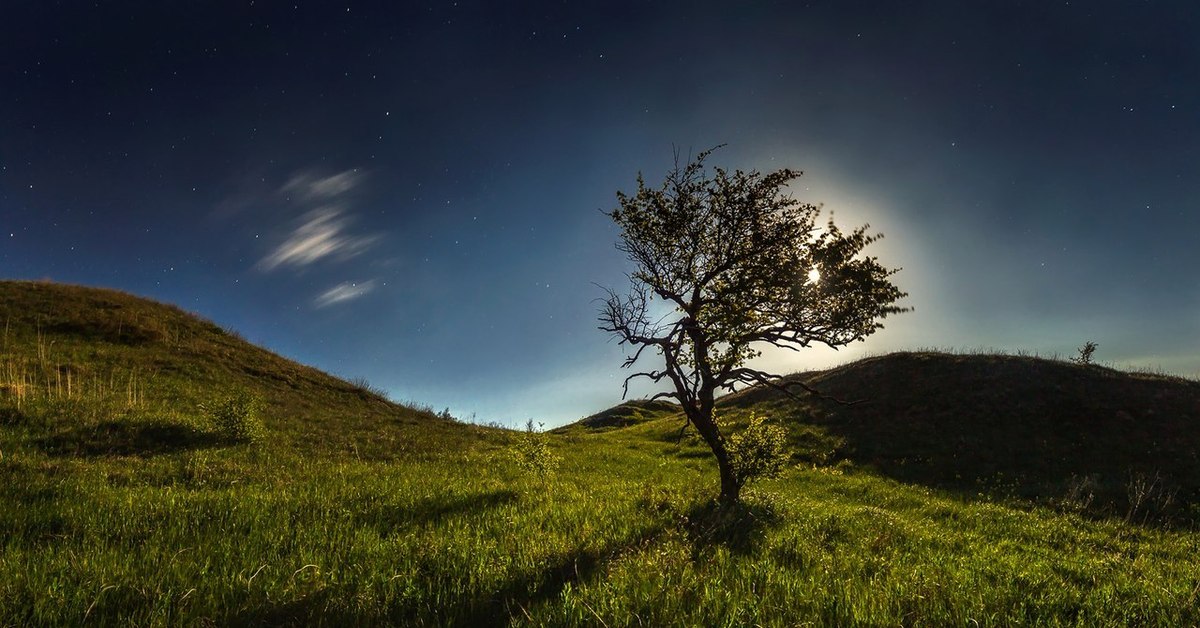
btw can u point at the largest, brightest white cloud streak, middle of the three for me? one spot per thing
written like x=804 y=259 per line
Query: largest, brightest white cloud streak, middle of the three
x=321 y=235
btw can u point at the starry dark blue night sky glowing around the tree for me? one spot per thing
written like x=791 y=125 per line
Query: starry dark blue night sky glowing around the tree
x=413 y=194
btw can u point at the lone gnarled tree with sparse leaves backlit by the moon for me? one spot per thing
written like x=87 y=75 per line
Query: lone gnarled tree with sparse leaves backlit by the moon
x=739 y=266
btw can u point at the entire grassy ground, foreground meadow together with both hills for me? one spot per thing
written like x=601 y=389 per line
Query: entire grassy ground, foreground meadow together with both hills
x=125 y=503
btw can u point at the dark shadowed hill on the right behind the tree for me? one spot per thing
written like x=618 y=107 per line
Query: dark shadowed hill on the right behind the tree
x=1124 y=444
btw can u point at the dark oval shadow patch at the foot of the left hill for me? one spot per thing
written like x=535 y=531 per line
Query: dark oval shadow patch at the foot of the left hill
x=128 y=439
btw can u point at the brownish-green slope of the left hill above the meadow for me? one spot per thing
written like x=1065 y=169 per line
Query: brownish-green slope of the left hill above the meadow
x=128 y=375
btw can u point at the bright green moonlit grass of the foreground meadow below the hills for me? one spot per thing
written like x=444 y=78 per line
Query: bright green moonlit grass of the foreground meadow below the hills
x=619 y=535
